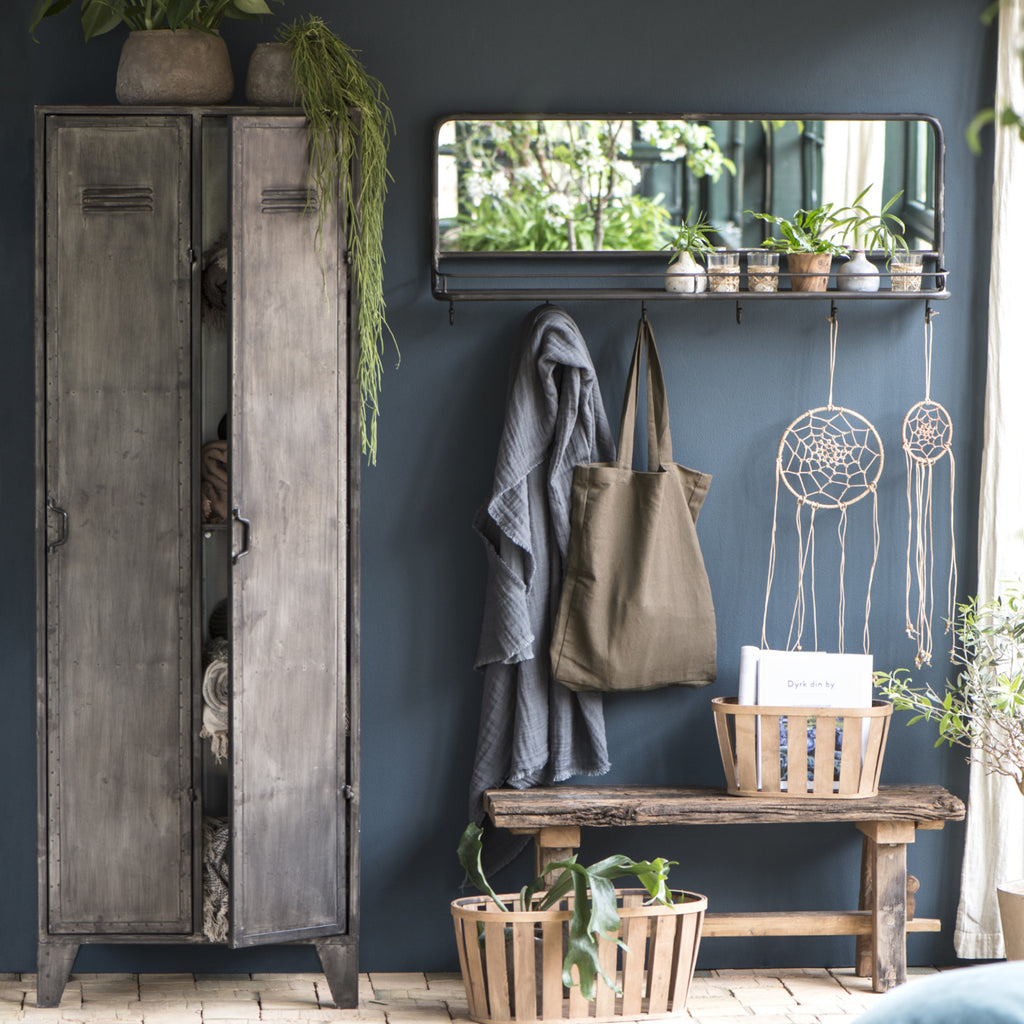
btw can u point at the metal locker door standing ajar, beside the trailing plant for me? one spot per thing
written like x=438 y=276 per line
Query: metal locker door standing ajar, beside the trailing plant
x=289 y=487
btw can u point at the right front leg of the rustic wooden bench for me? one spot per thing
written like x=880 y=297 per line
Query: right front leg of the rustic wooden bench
x=885 y=850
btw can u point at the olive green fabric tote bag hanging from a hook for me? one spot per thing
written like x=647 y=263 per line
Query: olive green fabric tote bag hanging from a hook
x=636 y=611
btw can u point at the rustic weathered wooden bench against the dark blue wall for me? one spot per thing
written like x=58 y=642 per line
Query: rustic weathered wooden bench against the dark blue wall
x=888 y=823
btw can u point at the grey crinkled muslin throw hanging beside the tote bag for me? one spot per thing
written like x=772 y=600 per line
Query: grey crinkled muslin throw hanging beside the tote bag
x=533 y=730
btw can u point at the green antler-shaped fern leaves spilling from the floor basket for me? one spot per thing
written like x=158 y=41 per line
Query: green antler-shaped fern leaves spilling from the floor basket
x=595 y=911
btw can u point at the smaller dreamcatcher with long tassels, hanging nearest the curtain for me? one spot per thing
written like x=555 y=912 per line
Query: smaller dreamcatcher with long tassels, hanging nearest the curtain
x=928 y=435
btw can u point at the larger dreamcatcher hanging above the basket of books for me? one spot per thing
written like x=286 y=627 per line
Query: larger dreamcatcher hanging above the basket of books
x=829 y=459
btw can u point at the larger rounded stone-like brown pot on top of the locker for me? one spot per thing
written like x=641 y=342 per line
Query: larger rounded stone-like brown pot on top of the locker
x=177 y=68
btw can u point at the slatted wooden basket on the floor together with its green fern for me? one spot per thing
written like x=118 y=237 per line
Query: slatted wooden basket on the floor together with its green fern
x=518 y=954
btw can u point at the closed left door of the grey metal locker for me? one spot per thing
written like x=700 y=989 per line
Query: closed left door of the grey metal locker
x=118 y=496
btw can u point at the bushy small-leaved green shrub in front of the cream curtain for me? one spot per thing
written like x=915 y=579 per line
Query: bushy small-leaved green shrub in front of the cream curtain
x=984 y=708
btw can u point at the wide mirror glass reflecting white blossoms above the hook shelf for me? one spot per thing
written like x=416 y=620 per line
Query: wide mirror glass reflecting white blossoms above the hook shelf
x=516 y=185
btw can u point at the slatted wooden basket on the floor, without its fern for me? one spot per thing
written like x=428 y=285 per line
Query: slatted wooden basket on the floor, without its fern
x=513 y=963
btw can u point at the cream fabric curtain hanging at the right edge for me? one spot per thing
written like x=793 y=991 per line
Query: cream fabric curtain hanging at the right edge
x=995 y=847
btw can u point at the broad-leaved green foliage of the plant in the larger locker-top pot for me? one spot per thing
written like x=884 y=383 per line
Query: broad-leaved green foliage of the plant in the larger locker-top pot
x=100 y=17
